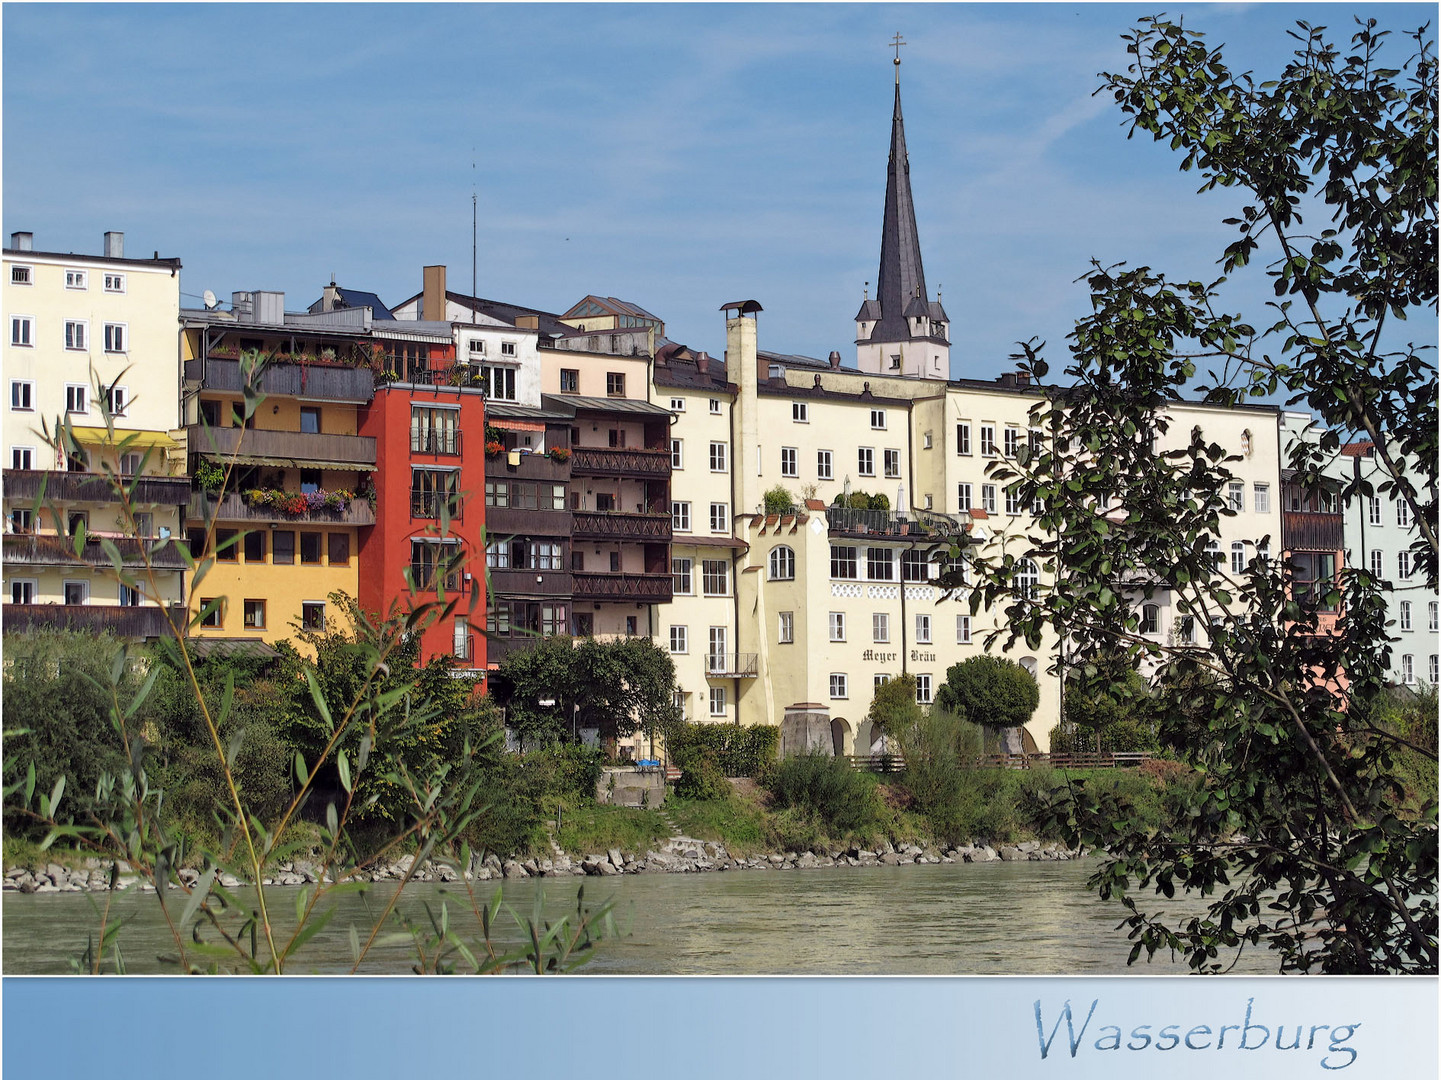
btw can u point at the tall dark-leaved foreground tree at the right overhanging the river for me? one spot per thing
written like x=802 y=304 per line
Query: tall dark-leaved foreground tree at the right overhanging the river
x=1299 y=838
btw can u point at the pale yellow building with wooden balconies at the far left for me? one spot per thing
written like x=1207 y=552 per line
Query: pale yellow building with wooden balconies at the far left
x=93 y=337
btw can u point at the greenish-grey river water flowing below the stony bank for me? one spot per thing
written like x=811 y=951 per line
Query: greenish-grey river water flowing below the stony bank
x=963 y=919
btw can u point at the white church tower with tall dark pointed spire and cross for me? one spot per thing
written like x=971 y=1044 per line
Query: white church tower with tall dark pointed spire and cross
x=901 y=332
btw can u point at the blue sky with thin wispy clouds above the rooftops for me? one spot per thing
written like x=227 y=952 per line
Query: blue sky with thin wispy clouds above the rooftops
x=677 y=156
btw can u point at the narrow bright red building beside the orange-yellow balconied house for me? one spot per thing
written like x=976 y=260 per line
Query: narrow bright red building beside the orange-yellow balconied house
x=429 y=423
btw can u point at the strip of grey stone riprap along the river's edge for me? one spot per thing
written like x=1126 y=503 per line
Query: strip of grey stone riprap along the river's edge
x=678 y=856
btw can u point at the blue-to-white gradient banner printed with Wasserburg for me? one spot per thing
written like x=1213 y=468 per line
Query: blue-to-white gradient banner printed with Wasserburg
x=715 y=1027
